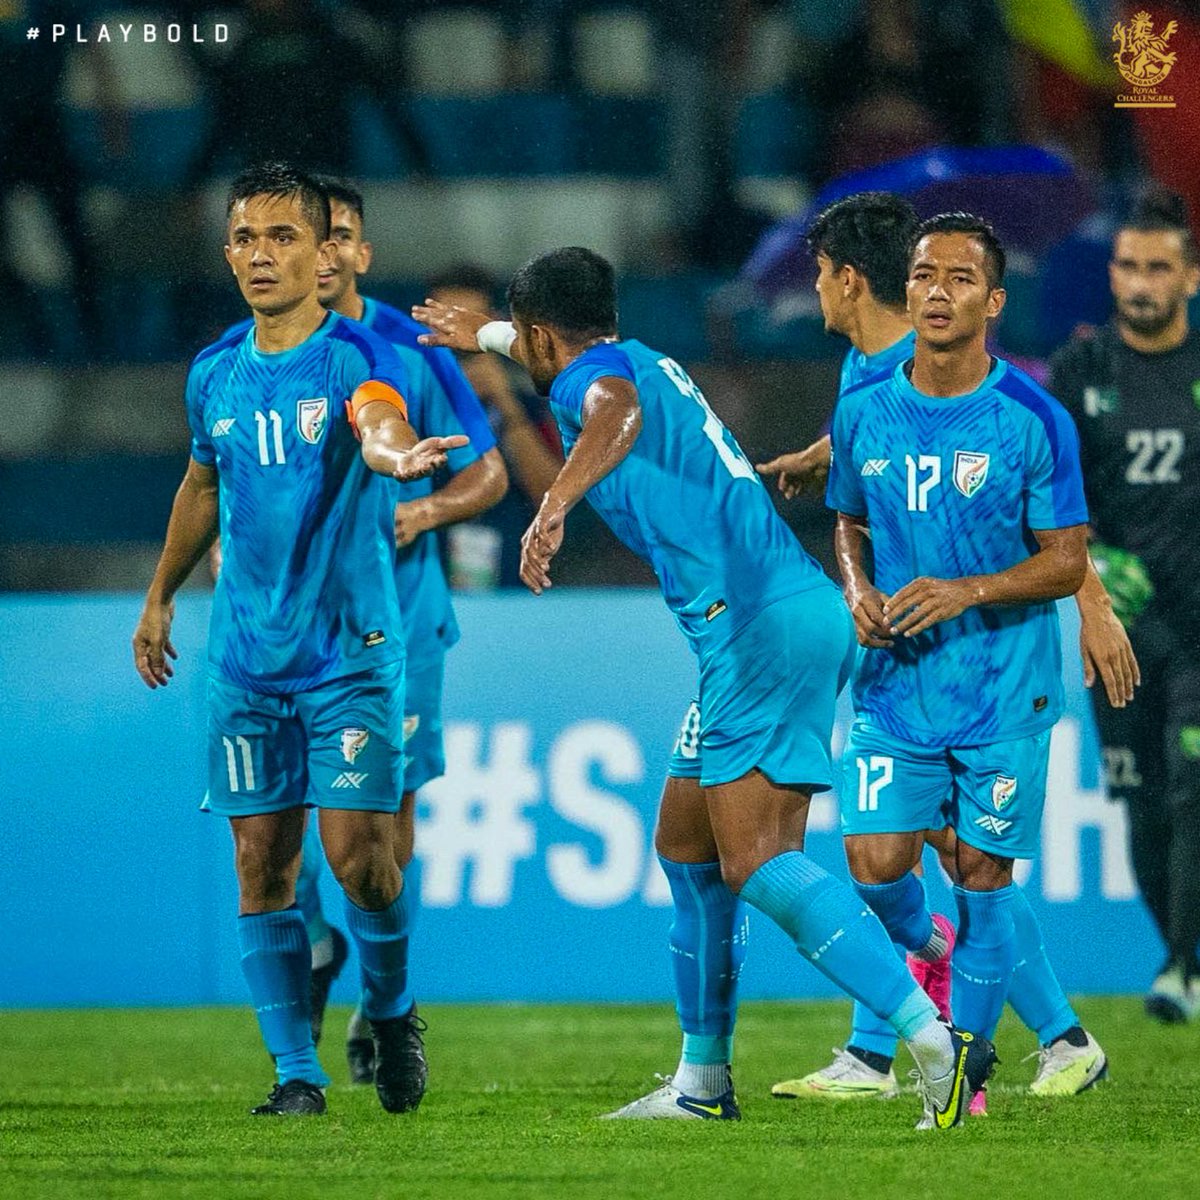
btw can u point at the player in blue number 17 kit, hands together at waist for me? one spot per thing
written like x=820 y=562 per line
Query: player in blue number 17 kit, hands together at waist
x=967 y=478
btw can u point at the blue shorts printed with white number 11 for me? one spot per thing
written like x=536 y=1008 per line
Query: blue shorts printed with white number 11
x=338 y=747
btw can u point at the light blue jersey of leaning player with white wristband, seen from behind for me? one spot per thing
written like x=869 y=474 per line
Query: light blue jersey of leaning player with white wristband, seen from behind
x=687 y=500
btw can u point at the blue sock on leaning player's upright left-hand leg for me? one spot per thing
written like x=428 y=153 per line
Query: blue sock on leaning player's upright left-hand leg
x=709 y=946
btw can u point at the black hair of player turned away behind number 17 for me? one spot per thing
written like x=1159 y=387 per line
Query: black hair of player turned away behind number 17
x=872 y=233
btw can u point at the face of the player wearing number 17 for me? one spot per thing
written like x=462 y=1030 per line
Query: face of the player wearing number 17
x=950 y=301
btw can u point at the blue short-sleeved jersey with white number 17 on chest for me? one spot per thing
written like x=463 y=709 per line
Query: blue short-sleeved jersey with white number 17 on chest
x=953 y=488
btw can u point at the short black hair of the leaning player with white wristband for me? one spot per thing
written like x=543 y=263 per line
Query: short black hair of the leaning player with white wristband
x=573 y=290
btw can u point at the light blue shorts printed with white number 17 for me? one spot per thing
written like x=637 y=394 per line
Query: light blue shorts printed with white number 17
x=993 y=795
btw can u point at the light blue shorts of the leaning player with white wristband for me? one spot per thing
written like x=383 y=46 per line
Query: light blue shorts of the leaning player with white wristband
x=767 y=697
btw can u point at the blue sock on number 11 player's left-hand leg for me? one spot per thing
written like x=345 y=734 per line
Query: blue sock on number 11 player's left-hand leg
x=275 y=959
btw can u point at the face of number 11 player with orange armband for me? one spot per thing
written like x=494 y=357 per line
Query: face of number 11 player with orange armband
x=274 y=253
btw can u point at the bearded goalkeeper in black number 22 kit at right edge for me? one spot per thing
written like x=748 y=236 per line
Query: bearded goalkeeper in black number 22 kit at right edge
x=1135 y=391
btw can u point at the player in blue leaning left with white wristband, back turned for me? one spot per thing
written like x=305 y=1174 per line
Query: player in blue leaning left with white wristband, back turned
x=773 y=645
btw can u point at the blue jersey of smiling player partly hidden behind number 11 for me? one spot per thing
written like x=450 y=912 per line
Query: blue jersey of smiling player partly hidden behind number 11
x=441 y=403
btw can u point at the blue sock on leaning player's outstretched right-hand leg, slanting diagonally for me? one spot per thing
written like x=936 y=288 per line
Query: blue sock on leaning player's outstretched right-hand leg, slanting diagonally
x=841 y=937
